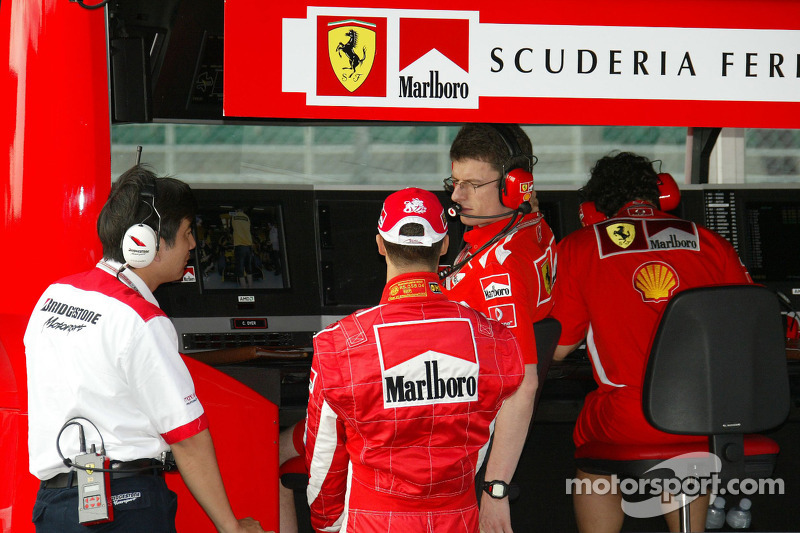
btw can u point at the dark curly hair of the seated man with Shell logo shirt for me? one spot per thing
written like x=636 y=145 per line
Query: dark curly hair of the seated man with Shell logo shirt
x=618 y=179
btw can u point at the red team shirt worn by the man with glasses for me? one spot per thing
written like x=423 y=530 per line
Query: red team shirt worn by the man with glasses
x=511 y=281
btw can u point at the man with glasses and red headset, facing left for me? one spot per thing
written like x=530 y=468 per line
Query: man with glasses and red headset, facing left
x=505 y=270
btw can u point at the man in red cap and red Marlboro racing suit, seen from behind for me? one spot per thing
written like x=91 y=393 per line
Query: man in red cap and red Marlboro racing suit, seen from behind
x=402 y=395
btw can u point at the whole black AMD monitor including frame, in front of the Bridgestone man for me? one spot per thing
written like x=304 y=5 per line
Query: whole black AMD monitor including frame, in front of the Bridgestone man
x=255 y=257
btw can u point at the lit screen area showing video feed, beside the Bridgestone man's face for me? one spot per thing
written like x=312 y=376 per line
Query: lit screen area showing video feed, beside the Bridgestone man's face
x=241 y=246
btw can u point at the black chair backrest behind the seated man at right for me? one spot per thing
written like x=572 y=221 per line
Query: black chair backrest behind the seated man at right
x=718 y=363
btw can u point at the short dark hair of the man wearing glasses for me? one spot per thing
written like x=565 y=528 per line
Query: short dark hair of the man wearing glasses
x=484 y=143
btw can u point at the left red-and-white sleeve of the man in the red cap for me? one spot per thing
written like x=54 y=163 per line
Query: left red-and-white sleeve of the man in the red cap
x=326 y=456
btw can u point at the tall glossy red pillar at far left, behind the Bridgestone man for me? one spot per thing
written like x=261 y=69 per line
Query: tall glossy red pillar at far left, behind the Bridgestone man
x=55 y=177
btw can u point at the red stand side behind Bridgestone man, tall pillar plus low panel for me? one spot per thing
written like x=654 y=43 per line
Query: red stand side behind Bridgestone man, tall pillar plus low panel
x=55 y=176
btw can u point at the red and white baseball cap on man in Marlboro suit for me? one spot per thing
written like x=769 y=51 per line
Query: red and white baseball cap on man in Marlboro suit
x=412 y=205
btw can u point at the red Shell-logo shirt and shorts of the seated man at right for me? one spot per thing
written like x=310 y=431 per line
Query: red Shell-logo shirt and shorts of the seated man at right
x=615 y=279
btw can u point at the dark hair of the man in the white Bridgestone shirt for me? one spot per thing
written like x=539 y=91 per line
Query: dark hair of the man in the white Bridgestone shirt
x=125 y=207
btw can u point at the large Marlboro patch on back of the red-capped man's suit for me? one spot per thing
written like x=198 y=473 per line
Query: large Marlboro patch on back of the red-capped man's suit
x=444 y=371
